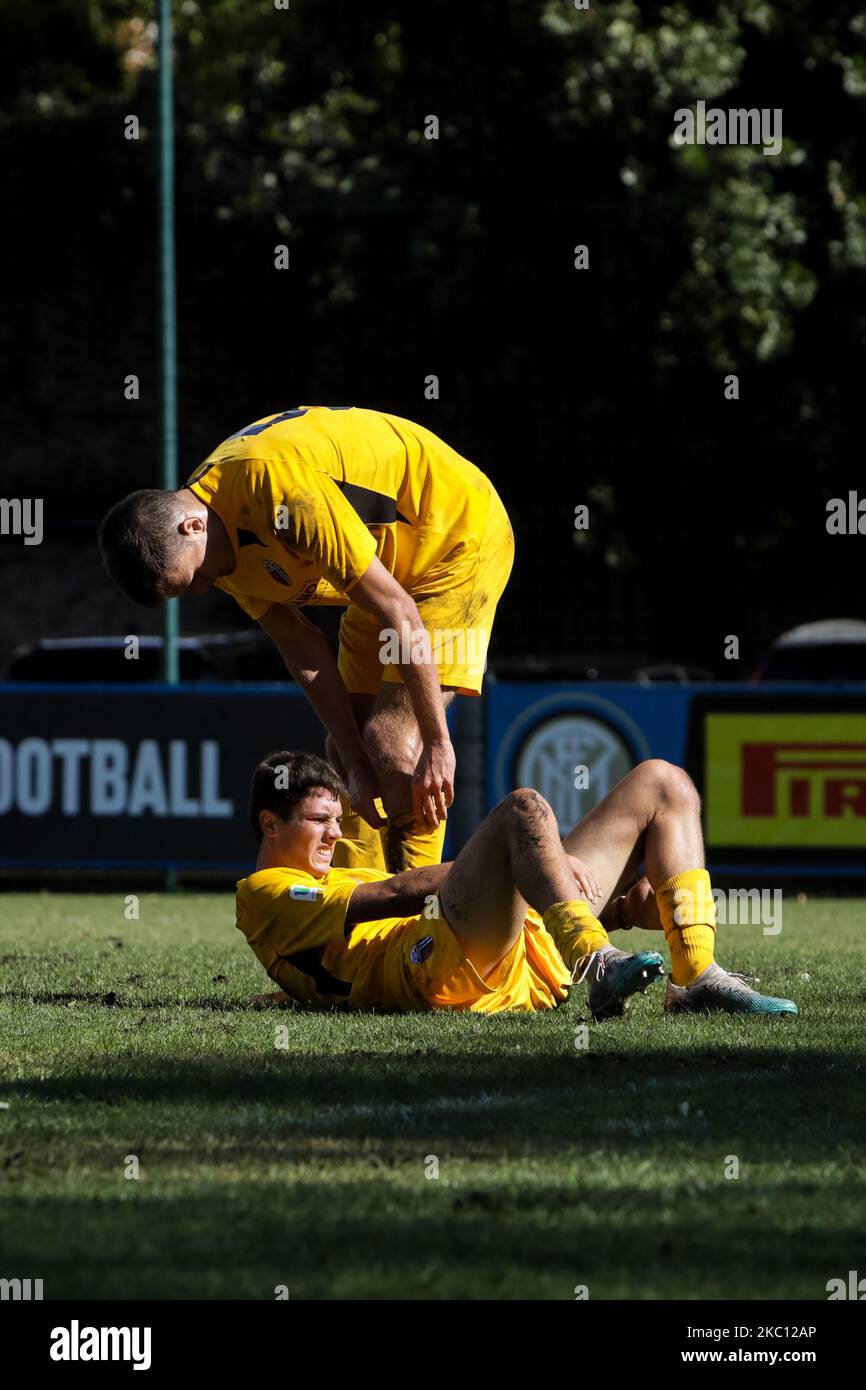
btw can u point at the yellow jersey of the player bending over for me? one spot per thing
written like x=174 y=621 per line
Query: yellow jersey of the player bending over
x=309 y=497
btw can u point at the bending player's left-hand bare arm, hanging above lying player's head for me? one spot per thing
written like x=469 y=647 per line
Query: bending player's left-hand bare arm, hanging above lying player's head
x=311 y=661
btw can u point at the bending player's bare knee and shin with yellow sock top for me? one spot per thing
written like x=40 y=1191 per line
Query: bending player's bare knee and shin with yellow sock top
x=394 y=742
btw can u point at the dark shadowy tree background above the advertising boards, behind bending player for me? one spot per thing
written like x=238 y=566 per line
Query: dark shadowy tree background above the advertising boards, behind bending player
x=455 y=258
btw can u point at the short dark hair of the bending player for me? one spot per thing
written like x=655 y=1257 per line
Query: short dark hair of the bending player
x=140 y=544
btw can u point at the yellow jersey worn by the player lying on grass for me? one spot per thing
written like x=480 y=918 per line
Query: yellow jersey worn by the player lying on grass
x=297 y=926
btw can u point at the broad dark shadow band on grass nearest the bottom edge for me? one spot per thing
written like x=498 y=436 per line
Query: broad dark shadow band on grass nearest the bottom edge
x=357 y=1241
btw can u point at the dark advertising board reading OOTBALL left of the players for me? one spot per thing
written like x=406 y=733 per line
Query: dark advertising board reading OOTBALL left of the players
x=130 y=776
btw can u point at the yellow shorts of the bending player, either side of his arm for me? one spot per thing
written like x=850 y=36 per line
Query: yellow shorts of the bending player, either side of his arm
x=457 y=601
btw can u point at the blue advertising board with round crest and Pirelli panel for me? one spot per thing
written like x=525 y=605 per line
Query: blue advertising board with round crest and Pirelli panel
x=782 y=769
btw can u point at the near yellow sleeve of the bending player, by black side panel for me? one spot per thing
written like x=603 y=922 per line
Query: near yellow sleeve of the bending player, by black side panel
x=313 y=519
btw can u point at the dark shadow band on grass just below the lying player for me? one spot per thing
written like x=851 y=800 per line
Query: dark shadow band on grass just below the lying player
x=801 y=1103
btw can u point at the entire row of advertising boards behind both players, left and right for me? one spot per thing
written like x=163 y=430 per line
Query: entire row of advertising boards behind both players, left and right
x=115 y=778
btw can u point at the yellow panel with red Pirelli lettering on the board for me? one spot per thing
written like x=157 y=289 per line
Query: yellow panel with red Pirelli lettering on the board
x=782 y=780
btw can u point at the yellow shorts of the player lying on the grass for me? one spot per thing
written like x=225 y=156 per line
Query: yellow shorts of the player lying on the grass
x=426 y=968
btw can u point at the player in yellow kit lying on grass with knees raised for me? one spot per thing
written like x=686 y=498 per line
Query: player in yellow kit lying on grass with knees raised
x=509 y=925
